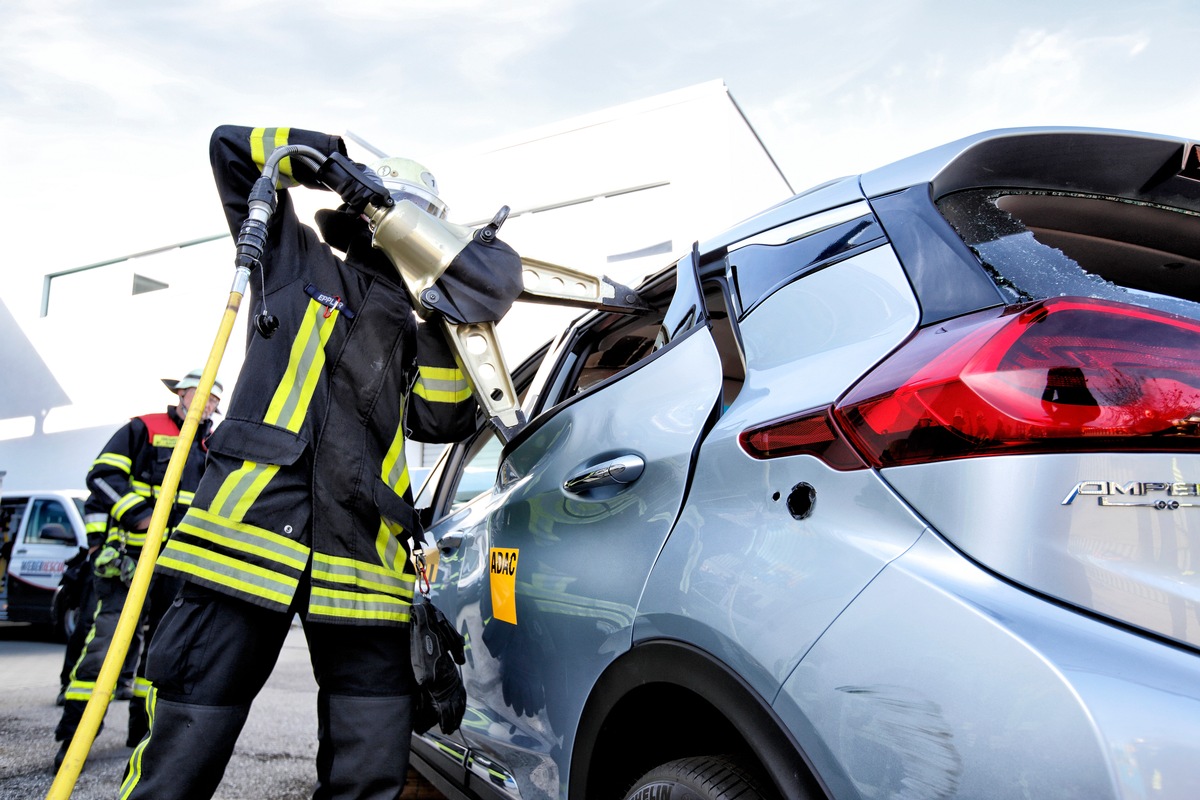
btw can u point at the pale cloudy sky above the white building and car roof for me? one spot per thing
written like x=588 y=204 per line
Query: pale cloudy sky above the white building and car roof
x=106 y=107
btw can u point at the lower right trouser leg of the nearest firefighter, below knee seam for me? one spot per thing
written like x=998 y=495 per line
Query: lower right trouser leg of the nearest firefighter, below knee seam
x=363 y=751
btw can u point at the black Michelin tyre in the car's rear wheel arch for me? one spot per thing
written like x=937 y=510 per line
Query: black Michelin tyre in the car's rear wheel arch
x=701 y=778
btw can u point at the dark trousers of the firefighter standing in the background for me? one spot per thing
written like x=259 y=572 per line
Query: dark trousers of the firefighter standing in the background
x=111 y=594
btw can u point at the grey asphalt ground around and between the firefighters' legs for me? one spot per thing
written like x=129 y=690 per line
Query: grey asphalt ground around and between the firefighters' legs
x=274 y=759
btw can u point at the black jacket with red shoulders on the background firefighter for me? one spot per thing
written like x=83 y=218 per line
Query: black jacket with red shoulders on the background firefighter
x=127 y=479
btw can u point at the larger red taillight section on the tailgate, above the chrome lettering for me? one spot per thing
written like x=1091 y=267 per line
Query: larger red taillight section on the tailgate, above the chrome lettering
x=1067 y=374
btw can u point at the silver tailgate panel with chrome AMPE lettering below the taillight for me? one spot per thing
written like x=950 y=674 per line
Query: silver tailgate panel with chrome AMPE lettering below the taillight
x=1022 y=518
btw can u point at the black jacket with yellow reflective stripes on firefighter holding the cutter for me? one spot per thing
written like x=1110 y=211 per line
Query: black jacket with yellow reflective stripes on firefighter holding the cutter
x=307 y=474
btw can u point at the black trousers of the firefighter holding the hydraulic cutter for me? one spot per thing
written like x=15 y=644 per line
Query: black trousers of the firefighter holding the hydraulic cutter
x=209 y=660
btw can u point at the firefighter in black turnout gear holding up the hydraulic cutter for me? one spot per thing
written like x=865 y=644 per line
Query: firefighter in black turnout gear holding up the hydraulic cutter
x=305 y=508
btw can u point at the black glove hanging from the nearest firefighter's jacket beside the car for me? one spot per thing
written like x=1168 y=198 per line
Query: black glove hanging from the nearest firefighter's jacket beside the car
x=437 y=651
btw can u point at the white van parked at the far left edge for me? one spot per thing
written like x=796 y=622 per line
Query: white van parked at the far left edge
x=40 y=533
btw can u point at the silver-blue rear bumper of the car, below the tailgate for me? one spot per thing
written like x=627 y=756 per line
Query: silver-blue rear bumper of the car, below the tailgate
x=943 y=681
